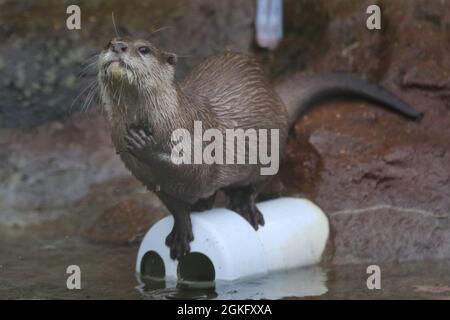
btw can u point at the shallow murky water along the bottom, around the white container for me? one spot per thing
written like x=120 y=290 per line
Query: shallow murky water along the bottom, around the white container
x=36 y=269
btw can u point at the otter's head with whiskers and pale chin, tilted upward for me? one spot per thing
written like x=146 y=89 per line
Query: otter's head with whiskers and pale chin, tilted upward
x=136 y=63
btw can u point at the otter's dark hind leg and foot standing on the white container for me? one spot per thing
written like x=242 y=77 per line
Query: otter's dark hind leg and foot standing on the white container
x=243 y=201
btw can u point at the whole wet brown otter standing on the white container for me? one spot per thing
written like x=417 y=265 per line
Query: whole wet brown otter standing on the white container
x=145 y=104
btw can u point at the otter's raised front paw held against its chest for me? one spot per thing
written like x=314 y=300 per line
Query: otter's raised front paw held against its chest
x=139 y=141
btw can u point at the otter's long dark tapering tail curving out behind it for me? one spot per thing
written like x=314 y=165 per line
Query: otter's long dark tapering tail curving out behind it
x=303 y=91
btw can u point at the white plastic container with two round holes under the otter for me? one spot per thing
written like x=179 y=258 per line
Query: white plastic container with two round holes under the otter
x=226 y=247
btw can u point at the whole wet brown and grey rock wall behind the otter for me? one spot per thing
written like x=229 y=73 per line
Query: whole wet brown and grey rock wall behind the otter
x=383 y=181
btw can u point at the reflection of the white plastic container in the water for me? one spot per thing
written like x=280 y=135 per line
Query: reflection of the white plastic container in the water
x=304 y=282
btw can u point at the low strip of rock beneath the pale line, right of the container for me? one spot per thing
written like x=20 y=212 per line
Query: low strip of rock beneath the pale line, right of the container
x=387 y=233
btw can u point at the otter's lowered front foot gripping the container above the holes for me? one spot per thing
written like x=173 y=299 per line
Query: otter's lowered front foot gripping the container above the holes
x=179 y=238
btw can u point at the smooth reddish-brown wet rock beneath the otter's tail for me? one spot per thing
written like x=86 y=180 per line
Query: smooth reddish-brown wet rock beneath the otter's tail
x=384 y=185
